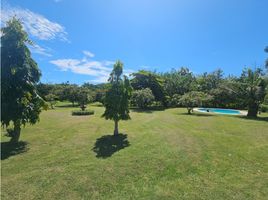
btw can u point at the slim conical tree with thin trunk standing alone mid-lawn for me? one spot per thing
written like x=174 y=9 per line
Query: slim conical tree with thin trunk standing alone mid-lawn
x=117 y=97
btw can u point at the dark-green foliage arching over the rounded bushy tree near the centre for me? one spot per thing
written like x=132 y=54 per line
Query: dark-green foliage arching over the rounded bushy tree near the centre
x=145 y=79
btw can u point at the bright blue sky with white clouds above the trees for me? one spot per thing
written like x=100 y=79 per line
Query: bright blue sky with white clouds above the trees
x=79 y=40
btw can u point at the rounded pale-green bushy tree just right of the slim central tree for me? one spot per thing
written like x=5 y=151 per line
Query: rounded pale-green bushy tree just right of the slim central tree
x=142 y=98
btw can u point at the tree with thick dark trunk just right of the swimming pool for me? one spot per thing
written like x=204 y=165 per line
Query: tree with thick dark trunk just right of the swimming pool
x=252 y=89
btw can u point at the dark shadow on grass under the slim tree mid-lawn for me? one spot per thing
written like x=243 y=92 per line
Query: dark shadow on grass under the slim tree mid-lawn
x=107 y=145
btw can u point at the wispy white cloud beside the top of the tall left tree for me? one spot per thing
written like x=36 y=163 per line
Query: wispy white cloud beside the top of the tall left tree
x=35 y=24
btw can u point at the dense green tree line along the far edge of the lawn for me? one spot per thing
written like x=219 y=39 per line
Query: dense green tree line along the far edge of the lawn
x=178 y=88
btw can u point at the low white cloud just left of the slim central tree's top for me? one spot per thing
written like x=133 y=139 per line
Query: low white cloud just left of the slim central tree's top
x=100 y=70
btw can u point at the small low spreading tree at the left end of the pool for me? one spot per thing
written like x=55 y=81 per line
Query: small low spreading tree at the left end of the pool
x=193 y=99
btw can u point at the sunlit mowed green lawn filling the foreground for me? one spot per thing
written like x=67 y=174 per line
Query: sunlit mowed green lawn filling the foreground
x=160 y=155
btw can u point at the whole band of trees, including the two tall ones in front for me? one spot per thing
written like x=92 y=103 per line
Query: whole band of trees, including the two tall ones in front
x=22 y=96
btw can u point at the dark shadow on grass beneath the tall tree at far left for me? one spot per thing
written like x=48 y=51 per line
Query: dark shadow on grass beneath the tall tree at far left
x=8 y=149
